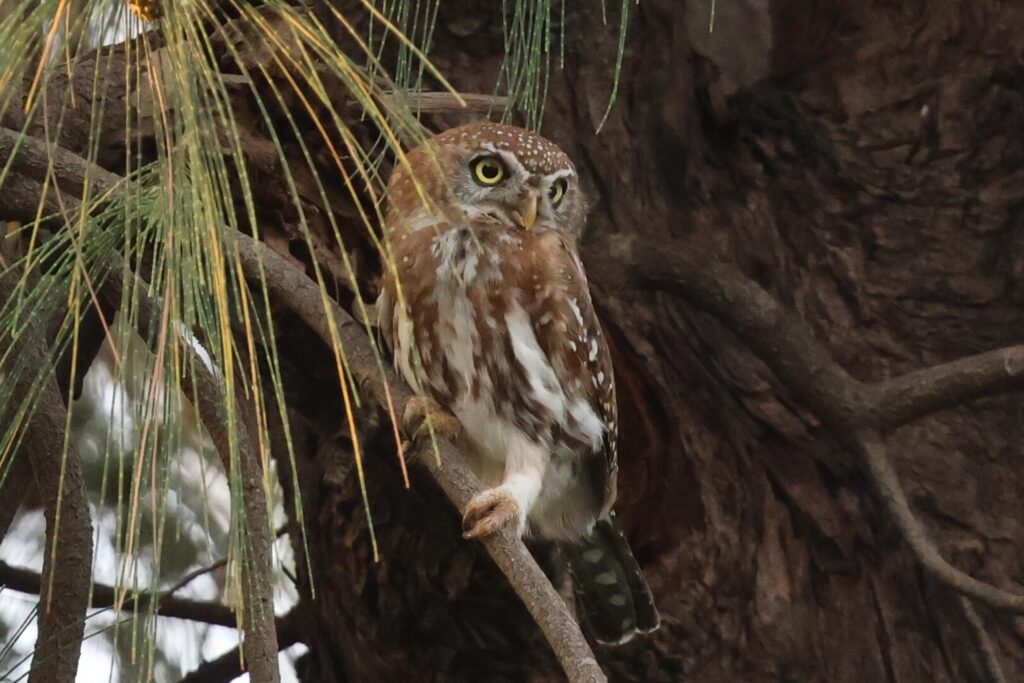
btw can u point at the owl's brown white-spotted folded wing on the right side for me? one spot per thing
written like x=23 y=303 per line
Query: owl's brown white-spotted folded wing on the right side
x=558 y=300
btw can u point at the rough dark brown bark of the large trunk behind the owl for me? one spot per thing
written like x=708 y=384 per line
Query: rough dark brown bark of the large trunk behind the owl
x=863 y=162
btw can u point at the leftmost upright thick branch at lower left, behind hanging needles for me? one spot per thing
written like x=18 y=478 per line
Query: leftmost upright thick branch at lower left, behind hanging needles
x=68 y=560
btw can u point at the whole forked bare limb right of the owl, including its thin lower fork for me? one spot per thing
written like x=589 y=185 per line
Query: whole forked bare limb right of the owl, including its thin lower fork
x=854 y=411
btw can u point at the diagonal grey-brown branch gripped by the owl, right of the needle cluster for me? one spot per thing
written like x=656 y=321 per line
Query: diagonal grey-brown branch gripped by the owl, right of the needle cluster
x=290 y=285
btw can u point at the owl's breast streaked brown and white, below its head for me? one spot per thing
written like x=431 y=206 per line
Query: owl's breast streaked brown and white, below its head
x=470 y=341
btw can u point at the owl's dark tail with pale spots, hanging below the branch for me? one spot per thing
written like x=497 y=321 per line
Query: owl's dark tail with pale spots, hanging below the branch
x=613 y=597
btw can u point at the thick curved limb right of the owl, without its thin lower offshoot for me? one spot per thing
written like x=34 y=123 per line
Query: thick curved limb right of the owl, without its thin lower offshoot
x=787 y=346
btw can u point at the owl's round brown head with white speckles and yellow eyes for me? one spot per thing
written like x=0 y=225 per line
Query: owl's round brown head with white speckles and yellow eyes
x=491 y=170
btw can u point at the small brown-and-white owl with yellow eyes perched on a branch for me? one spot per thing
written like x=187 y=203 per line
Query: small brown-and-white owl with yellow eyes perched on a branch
x=486 y=307
